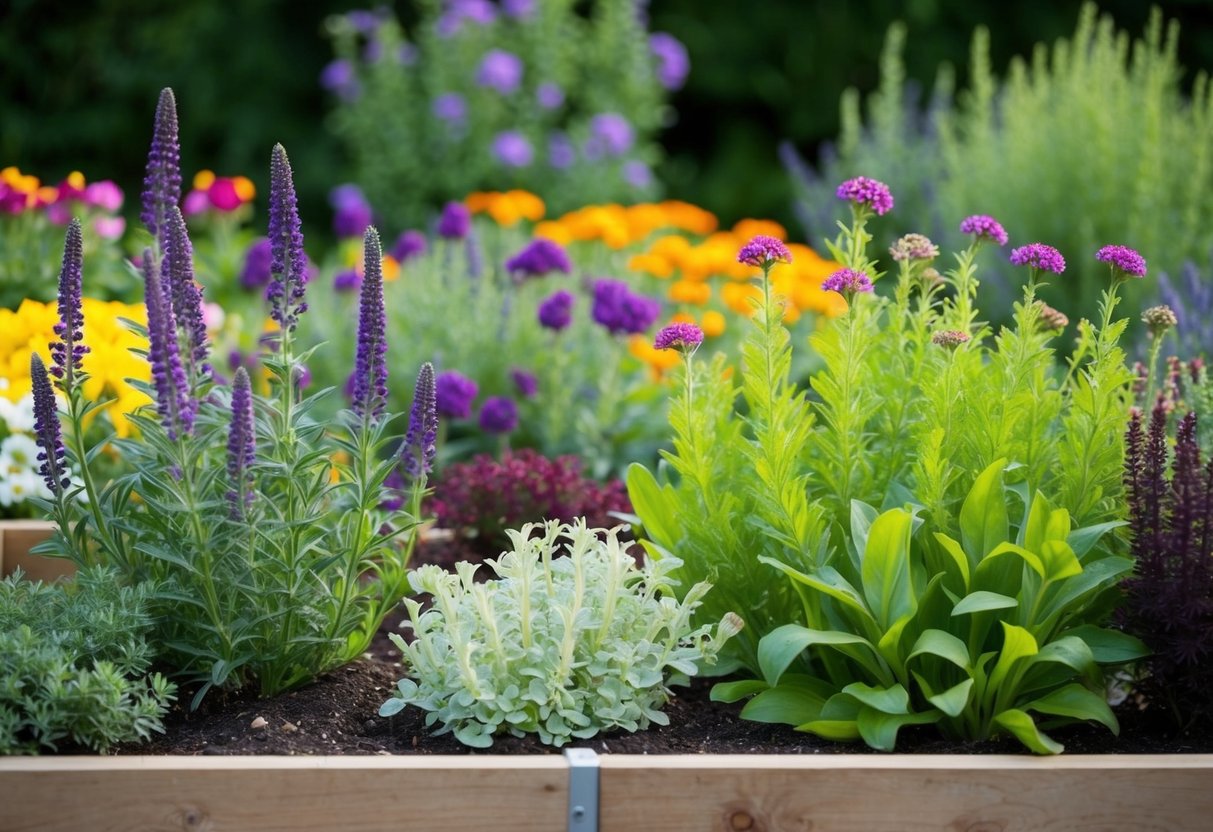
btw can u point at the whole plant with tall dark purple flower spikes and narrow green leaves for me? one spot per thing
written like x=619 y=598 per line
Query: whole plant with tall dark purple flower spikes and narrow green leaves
x=263 y=527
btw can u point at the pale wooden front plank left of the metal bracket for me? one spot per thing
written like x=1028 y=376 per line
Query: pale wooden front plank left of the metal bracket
x=283 y=794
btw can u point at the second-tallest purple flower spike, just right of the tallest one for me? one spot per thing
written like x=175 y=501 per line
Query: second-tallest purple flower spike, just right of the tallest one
x=288 y=263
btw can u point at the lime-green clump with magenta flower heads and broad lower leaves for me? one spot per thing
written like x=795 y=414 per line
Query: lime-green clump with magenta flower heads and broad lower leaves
x=885 y=497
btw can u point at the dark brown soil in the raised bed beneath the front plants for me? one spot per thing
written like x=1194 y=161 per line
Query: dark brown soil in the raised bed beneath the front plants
x=339 y=715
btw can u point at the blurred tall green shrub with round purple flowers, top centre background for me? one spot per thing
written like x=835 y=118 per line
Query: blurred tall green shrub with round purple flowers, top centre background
x=528 y=95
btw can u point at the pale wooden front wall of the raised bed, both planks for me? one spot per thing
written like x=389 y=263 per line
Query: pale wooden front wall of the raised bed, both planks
x=639 y=794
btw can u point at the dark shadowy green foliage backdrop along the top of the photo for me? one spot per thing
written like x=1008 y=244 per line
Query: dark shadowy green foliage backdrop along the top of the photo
x=79 y=82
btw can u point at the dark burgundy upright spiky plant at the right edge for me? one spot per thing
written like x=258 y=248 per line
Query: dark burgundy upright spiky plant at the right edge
x=1170 y=599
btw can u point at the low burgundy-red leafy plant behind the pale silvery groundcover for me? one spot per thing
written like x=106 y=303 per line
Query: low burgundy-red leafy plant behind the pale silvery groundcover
x=486 y=497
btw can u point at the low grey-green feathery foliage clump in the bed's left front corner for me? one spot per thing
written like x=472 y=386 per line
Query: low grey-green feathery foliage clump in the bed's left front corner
x=75 y=665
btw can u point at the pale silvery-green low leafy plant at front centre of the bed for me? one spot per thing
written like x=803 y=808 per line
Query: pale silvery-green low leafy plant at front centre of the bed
x=571 y=640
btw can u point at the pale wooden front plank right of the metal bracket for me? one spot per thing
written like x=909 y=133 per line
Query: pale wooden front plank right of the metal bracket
x=908 y=794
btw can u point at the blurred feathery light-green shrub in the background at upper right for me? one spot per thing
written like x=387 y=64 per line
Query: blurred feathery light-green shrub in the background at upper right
x=1089 y=143
